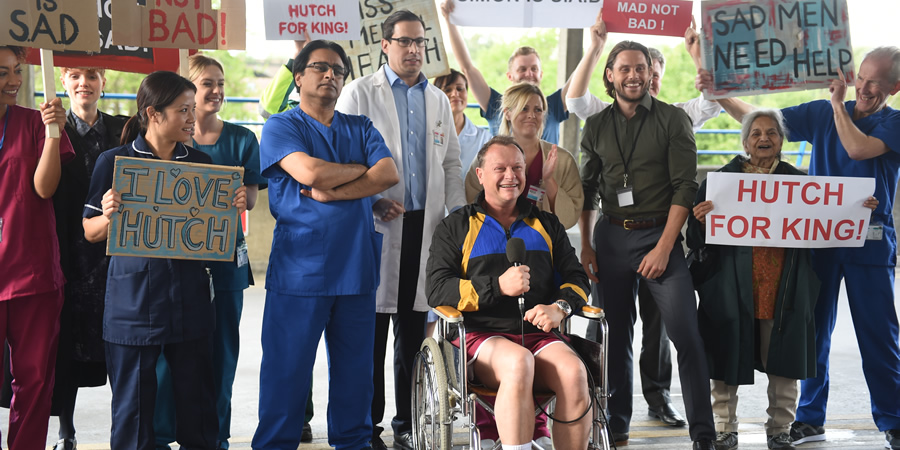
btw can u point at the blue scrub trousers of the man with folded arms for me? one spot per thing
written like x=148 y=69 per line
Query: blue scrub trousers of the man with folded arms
x=291 y=329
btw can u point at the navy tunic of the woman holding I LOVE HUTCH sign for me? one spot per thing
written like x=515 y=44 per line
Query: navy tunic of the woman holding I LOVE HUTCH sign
x=151 y=301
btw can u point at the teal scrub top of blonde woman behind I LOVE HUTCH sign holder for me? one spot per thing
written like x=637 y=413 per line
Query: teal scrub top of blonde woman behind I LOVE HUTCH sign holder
x=236 y=146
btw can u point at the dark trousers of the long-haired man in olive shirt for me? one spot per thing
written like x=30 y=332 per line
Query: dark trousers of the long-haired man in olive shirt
x=619 y=254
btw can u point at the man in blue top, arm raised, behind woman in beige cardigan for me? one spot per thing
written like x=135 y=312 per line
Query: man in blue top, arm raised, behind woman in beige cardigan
x=524 y=67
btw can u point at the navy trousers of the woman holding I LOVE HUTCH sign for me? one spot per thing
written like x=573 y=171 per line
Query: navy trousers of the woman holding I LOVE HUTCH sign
x=132 y=377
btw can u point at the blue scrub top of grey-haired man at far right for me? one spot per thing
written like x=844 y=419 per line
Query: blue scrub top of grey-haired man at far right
x=814 y=122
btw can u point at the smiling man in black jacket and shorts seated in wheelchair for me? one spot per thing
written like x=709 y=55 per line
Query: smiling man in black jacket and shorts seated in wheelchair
x=510 y=347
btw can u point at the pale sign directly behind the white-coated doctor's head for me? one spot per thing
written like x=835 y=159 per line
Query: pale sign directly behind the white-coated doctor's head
x=365 y=53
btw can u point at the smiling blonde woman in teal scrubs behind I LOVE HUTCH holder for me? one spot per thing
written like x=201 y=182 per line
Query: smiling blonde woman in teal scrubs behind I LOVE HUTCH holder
x=230 y=145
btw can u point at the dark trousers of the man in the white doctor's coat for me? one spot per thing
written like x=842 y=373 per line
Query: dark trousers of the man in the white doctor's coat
x=409 y=331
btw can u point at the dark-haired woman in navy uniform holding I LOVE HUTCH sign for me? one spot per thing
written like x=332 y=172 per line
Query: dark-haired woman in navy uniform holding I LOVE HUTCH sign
x=156 y=305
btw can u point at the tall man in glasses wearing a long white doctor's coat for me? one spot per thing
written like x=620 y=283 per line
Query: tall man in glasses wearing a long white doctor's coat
x=394 y=98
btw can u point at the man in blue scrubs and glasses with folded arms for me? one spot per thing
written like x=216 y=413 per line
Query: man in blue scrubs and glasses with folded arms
x=323 y=167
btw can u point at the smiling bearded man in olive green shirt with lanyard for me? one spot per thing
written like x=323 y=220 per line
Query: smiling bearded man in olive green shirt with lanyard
x=640 y=159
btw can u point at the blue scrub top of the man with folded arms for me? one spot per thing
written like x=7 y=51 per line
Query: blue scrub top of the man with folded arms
x=320 y=249
